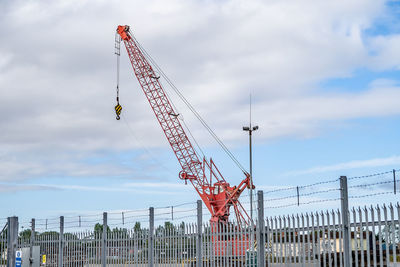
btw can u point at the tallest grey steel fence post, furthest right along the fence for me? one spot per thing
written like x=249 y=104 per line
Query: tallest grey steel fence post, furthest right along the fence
x=344 y=198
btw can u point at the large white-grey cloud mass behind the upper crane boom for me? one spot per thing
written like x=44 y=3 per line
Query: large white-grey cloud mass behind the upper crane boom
x=57 y=79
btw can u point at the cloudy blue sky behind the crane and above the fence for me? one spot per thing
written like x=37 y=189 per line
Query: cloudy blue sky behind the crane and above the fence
x=323 y=78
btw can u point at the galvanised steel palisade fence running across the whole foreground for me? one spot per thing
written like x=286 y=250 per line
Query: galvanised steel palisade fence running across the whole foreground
x=362 y=236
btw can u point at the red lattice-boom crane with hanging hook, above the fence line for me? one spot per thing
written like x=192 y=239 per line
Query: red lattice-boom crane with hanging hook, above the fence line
x=205 y=177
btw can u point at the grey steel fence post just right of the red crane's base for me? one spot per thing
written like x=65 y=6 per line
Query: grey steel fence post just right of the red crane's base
x=260 y=229
